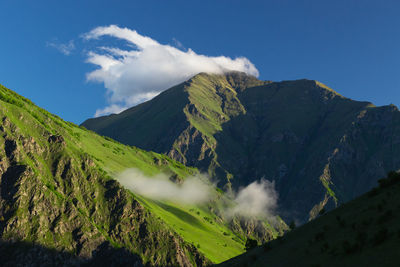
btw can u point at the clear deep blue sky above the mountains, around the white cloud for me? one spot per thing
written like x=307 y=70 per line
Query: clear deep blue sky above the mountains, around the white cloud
x=352 y=46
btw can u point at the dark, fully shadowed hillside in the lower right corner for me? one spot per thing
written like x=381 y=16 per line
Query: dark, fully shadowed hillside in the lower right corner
x=362 y=232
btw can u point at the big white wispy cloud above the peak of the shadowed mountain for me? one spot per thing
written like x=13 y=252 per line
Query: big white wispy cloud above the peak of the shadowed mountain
x=148 y=67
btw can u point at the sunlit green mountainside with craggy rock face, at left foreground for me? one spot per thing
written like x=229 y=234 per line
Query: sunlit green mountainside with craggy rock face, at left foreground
x=60 y=203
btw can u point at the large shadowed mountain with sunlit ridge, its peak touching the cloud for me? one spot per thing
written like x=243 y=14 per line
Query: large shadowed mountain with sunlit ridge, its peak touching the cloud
x=320 y=148
